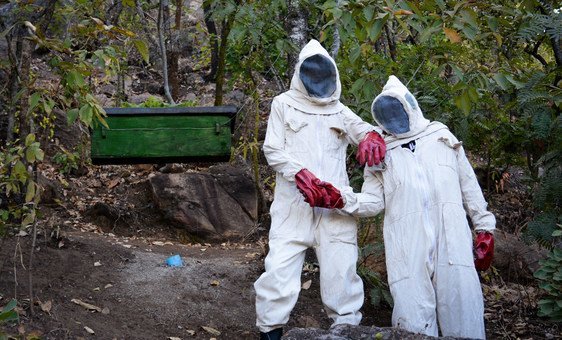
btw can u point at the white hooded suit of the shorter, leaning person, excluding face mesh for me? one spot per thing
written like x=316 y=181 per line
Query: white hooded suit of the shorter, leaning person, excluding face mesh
x=426 y=195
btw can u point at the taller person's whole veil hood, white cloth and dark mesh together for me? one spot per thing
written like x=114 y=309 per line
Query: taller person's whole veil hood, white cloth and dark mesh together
x=315 y=86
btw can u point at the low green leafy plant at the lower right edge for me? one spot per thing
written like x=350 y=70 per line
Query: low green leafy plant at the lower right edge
x=550 y=277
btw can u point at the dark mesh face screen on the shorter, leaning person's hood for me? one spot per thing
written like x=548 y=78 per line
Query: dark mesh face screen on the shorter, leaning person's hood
x=390 y=113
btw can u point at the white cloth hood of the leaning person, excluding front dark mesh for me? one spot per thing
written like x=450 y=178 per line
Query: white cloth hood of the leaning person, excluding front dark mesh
x=394 y=88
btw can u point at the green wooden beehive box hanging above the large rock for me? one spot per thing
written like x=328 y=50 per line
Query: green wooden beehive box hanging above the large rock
x=164 y=135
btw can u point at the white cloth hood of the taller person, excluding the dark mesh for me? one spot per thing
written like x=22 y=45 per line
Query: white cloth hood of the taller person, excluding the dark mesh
x=298 y=97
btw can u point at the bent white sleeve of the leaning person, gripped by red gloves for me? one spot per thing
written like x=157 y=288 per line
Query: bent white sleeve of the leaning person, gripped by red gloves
x=368 y=203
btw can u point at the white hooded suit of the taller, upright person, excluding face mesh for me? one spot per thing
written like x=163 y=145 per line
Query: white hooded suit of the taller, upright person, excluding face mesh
x=312 y=133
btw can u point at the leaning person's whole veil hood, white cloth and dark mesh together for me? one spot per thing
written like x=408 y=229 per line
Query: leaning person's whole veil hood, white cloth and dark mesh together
x=397 y=111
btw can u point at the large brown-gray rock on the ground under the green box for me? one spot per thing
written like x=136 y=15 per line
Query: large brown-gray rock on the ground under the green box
x=217 y=205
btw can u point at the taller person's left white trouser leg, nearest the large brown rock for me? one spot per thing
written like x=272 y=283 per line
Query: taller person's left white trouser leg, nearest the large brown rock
x=277 y=289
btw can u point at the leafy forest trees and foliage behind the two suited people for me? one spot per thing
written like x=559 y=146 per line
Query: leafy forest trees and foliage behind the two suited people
x=490 y=70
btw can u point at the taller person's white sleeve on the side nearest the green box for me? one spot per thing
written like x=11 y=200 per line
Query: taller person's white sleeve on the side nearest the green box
x=274 y=144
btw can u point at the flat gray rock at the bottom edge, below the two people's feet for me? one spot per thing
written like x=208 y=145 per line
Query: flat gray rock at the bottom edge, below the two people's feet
x=346 y=332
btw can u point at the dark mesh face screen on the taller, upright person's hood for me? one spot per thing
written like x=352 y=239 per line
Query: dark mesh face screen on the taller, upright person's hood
x=318 y=75
